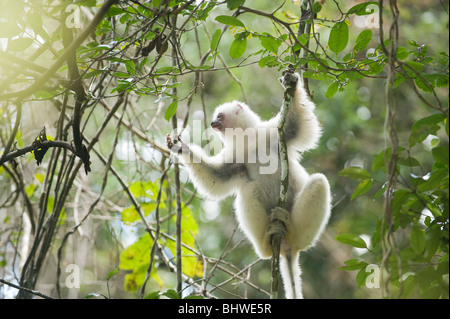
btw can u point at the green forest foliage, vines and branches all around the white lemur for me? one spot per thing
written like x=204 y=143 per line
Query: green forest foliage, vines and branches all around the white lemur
x=98 y=84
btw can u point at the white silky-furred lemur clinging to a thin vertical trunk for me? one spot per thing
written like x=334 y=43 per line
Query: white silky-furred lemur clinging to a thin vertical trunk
x=239 y=169
